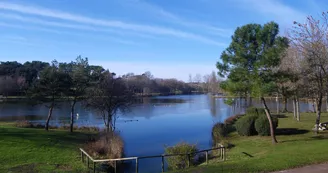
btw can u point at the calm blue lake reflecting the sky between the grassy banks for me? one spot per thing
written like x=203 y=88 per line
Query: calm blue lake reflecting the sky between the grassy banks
x=151 y=124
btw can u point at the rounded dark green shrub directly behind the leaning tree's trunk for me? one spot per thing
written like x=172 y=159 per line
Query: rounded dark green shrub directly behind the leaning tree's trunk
x=262 y=125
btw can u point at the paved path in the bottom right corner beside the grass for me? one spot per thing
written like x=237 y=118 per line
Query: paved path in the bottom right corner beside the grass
x=321 y=168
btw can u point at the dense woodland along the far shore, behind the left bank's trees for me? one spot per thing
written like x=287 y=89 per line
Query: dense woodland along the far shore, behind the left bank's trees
x=16 y=78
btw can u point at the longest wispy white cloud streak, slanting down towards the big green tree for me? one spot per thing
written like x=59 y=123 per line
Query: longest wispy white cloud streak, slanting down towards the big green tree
x=45 y=12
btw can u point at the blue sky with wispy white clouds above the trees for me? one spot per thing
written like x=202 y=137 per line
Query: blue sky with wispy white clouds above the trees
x=169 y=38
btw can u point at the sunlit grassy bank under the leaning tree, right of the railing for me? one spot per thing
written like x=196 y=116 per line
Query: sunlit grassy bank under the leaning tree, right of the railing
x=298 y=146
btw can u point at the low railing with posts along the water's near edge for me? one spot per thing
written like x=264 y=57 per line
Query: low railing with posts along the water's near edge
x=84 y=154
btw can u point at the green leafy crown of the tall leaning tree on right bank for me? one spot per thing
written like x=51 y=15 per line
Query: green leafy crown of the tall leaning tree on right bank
x=248 y=61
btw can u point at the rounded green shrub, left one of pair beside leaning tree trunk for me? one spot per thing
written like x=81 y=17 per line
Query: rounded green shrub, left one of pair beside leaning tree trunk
x=245 y=125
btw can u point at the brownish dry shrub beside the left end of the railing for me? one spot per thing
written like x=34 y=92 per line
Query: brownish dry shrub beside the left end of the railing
x=108 y=145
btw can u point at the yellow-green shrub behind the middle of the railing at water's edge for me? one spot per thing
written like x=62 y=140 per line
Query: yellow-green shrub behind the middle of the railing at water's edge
x=180 y=161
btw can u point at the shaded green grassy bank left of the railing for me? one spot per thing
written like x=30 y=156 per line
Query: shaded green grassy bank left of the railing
x=35 y=150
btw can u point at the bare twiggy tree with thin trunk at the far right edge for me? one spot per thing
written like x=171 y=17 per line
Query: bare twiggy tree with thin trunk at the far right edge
x=311 y=40
